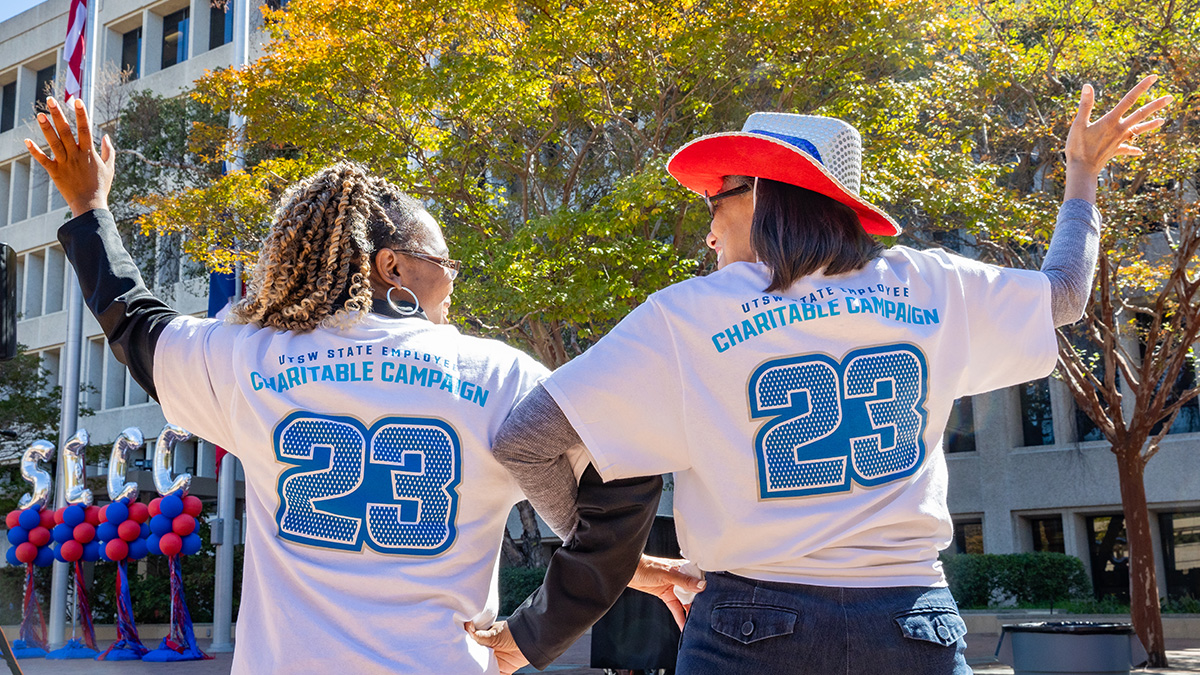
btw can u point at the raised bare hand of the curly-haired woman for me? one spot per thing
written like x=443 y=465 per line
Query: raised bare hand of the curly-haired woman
x=82 y=175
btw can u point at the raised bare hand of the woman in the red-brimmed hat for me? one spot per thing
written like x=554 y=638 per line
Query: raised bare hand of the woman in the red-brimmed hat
x=1090 y=146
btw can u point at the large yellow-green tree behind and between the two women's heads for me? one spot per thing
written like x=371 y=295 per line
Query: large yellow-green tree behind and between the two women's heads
x=538 y=134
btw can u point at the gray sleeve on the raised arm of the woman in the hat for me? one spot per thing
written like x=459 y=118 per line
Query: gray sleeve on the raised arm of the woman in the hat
x=1071 y=261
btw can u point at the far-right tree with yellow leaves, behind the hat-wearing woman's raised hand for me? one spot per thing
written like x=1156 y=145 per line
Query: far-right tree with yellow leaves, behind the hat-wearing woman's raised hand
x=1127 y=363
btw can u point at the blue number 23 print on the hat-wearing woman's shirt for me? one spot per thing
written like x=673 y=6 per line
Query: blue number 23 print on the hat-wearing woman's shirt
x=831 y=423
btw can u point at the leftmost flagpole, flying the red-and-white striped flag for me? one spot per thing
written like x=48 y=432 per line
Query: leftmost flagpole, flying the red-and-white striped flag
x=74 y=349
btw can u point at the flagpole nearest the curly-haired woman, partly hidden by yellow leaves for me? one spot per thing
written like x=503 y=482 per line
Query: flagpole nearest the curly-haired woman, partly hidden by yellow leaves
x=227 y=495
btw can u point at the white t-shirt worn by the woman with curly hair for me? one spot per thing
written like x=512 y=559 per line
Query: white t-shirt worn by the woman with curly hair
x=375 y=507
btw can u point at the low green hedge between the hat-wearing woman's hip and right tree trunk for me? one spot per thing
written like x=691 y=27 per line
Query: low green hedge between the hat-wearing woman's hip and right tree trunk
x=1042 y=578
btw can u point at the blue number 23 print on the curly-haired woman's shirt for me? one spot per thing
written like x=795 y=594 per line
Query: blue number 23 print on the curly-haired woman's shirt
x=392 y=487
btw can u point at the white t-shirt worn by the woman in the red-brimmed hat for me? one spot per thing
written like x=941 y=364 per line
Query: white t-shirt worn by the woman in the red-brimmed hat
x=805 y=428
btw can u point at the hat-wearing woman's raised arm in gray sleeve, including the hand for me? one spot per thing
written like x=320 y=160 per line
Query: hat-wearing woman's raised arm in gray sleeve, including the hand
x=1071 y=260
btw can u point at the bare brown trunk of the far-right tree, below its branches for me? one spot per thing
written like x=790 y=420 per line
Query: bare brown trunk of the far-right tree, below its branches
x=1144 y=608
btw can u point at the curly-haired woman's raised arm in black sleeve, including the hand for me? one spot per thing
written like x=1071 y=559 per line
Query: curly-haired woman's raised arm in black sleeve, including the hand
x=113 y=290
